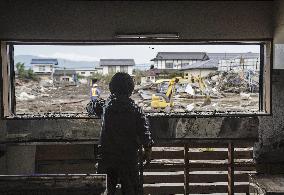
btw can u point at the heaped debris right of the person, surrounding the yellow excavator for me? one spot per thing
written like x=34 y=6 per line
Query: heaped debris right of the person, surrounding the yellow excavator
x=220 y=91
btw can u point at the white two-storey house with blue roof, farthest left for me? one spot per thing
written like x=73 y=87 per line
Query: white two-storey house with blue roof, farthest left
x=44 y=67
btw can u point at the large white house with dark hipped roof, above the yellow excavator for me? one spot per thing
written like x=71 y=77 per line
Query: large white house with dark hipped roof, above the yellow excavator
x=176 y=60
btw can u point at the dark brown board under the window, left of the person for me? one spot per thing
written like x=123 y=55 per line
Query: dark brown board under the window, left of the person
x=64 y=152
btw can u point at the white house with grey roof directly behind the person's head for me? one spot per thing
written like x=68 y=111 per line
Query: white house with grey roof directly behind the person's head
x=111 y=66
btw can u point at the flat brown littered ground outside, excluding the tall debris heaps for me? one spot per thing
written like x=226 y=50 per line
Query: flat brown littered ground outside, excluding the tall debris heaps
x=37 y=97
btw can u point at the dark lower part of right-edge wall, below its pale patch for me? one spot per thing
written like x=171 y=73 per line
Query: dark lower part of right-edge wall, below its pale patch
x=270 y=148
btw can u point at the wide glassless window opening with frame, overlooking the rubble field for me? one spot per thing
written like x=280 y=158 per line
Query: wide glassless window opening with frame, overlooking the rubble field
x=179 y=79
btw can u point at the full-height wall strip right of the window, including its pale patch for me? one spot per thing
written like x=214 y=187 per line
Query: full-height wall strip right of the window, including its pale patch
x=269 y=151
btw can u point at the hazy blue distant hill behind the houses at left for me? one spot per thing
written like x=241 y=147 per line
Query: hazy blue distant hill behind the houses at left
x=26 y=59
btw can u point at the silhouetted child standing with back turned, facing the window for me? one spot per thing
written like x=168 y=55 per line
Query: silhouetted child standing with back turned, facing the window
x=124 y=129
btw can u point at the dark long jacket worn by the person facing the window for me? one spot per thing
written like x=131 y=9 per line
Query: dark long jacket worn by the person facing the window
x=124 y=129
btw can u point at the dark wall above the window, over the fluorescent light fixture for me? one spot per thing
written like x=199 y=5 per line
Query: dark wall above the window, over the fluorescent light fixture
x=90 y=20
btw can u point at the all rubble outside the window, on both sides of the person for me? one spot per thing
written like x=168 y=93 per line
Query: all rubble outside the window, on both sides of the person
x=224 y=91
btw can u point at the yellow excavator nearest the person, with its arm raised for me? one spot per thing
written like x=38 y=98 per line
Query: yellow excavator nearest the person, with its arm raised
x=160 y=100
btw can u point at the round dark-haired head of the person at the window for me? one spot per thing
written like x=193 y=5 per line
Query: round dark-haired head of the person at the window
x=121 y=84
